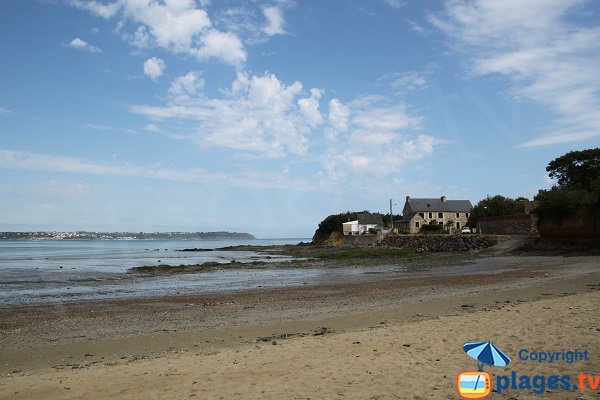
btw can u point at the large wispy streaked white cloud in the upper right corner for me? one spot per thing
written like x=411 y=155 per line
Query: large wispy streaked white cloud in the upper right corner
x=548 y=59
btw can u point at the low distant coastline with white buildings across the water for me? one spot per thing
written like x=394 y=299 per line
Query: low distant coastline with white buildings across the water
x=84 y=235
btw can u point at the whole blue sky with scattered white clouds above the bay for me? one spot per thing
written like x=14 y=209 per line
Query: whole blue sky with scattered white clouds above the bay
x=266 y=116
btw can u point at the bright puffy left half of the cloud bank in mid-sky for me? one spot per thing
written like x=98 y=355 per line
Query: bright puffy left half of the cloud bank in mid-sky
x=261 y=118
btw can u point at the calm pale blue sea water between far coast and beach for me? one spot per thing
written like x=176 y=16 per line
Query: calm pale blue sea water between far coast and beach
x=49 y=271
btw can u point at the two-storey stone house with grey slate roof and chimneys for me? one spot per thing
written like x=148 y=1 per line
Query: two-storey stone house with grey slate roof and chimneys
x=436 y=211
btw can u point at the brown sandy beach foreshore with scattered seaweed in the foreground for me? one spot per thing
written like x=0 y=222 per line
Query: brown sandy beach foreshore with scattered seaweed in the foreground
x=378 y=338
